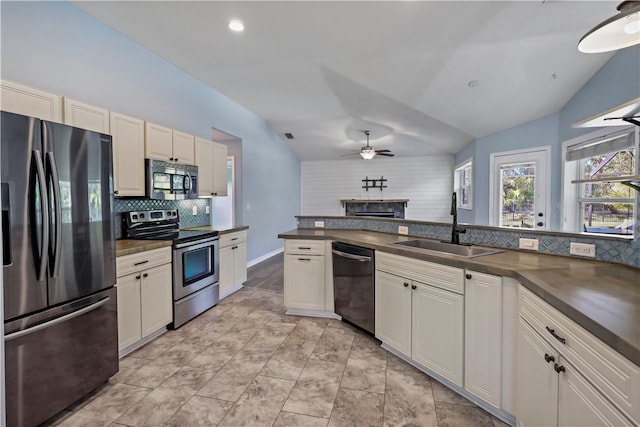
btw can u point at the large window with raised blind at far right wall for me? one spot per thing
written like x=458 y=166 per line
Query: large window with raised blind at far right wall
x=601 y=206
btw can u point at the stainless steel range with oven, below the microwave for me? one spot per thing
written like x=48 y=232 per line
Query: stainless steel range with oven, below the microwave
x=195 y=259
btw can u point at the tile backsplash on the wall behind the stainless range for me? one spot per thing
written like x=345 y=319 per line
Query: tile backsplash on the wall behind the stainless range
x=185 y=210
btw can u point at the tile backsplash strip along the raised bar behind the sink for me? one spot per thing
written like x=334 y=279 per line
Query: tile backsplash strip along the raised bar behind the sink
x=621 y=251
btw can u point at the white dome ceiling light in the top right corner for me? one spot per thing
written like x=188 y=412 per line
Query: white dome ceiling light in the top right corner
x=617 y=32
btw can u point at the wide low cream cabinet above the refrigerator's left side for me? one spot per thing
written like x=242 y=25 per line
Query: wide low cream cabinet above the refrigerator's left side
x=20 y=99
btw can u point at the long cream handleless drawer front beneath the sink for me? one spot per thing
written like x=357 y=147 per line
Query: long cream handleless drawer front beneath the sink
x=441 y=276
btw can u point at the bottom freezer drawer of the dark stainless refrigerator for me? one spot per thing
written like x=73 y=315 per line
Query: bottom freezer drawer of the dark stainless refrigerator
x=54 y=363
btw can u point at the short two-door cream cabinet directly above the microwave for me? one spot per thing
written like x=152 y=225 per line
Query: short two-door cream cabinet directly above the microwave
x=163 y=143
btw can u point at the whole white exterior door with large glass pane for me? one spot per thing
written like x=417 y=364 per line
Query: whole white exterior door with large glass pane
x=519 y=189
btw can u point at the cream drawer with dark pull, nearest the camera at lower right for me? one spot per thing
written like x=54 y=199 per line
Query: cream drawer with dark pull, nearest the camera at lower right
x=616 y=377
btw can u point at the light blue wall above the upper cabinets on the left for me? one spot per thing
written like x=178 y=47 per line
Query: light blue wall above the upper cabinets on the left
x=58 y=48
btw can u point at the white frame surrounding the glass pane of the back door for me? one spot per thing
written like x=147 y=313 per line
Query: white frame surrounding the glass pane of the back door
x=494 y=197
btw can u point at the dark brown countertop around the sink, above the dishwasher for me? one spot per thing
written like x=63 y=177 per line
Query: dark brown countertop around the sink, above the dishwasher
x=603 y=298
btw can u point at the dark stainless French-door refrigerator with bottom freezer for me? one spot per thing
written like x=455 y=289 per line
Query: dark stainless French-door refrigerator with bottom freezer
x=60 y=319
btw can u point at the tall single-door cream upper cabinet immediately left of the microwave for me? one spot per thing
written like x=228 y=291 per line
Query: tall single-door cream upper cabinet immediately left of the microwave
x=128 y=155
